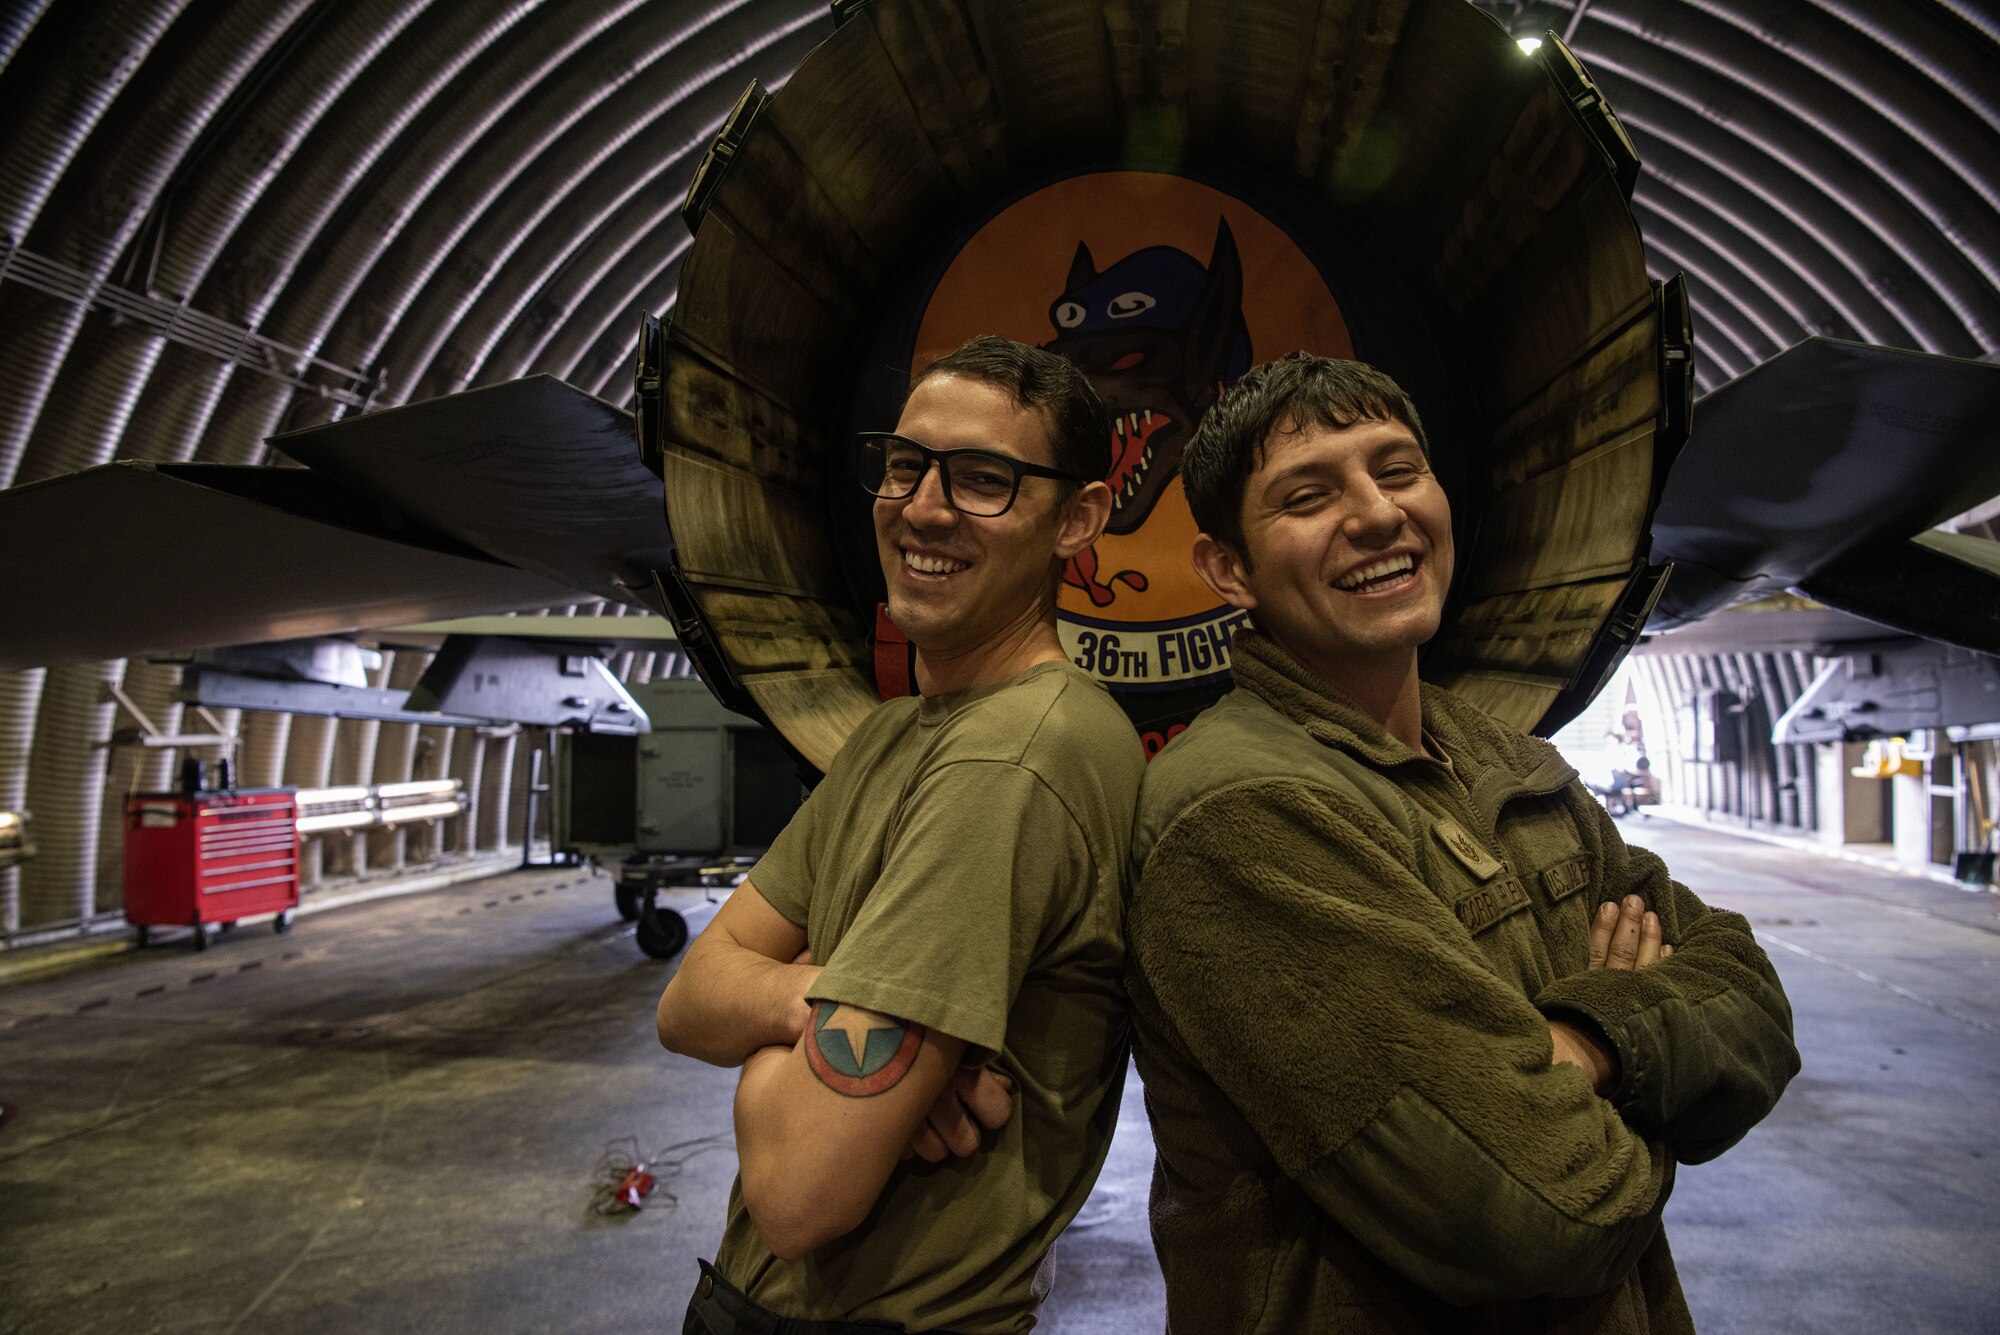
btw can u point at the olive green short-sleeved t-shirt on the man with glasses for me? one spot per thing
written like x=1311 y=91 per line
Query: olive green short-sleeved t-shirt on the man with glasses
x=961 y=868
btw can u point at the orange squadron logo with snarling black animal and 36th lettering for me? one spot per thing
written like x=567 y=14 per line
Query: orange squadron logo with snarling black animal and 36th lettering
x=1163 y=291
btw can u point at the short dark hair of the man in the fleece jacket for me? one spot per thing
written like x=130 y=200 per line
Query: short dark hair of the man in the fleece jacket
x=1287 y=395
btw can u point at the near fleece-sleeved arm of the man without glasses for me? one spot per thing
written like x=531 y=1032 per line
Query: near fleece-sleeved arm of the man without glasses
x=1415 y=1096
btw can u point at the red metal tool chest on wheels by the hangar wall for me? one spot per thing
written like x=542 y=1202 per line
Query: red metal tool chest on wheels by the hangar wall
x=211 y=858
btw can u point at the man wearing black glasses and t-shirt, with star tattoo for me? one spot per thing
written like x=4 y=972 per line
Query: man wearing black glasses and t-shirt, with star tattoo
x=937 y=932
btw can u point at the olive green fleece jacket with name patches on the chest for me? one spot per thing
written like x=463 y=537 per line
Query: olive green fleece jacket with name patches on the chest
x=1343 y=958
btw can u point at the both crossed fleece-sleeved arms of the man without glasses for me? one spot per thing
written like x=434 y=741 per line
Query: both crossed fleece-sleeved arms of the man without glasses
x=1419 y=1100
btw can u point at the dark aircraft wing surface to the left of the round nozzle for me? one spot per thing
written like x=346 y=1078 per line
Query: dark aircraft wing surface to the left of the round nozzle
x=505 y=499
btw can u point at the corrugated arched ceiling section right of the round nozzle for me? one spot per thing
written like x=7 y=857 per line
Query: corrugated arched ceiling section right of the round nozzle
x=1815 y=167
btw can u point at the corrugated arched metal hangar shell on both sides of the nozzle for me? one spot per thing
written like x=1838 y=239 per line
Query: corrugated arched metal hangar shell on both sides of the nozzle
x=221 y=221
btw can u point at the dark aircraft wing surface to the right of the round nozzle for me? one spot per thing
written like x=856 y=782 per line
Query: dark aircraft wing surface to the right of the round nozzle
x=1825 y=471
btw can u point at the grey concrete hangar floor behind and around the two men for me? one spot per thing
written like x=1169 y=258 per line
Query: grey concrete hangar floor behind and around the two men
x=389 y=1122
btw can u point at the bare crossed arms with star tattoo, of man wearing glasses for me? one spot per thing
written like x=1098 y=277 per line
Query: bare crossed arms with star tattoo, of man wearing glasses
x=831 y=1096
